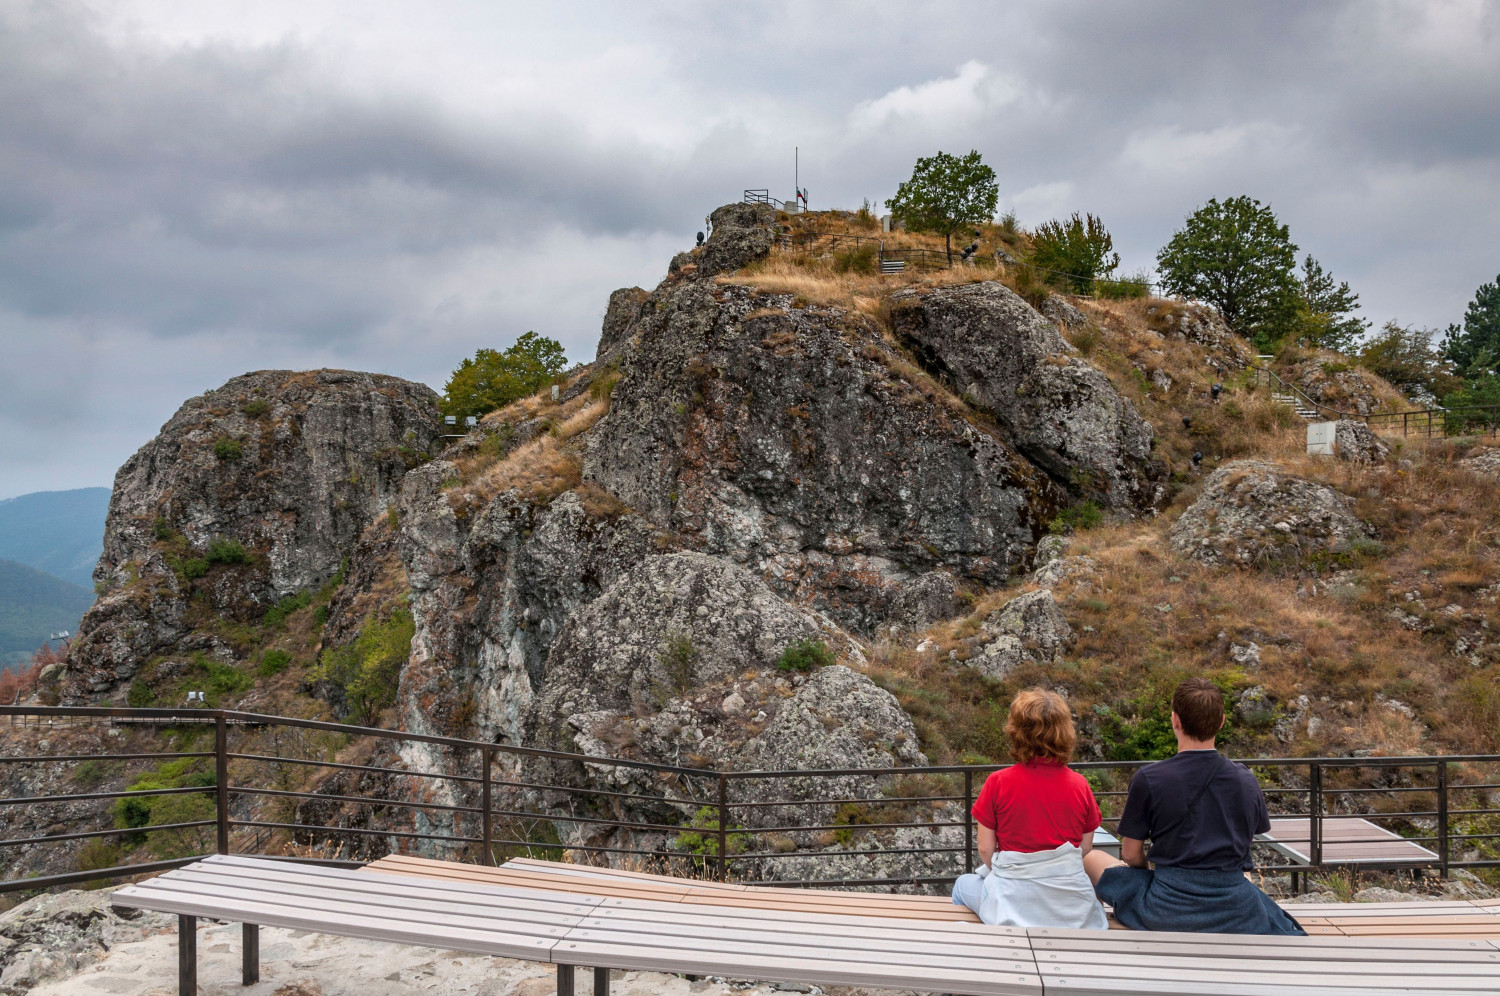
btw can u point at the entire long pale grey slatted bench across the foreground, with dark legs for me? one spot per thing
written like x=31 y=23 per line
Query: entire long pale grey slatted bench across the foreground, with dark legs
x=623 y=932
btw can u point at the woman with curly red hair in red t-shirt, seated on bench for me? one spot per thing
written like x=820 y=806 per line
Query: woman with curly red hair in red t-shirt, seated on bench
x=1037 y=821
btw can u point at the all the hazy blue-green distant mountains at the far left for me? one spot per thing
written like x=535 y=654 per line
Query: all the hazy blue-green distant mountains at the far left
x=50 y=542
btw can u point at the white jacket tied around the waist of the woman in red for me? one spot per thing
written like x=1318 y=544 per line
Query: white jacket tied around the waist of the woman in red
x=1045 y=889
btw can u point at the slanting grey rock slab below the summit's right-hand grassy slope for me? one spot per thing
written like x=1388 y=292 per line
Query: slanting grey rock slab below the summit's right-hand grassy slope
x=1063 y=413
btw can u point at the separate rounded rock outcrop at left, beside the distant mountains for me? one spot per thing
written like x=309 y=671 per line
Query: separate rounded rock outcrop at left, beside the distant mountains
x=283 y=470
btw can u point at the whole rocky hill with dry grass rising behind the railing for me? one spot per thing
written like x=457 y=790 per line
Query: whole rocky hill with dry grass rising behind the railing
x=800 y=514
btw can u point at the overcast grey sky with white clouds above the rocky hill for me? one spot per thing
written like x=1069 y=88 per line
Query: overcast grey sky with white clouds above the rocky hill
x=191 y=190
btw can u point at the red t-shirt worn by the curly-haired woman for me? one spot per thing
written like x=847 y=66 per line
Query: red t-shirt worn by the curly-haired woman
x=1037 y=806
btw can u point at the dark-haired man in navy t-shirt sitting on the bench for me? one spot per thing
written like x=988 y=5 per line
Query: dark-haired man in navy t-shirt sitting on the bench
x=1201 y=814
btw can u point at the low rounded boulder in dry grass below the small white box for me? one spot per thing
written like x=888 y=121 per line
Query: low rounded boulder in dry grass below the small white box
x=1253 y=514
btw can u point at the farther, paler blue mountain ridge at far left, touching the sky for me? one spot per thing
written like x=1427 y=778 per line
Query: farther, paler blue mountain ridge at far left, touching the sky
x=58 y=532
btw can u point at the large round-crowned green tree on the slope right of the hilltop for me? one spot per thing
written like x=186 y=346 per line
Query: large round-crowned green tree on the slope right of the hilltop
x=1241 y=260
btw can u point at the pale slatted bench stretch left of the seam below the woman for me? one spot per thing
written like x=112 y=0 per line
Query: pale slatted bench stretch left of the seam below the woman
x=571 y=931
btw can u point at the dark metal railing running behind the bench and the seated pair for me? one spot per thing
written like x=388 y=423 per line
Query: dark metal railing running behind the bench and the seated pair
x=854 y=827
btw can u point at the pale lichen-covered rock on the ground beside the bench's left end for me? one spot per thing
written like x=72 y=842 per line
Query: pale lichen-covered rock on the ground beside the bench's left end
x=59 y=934
